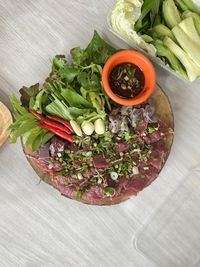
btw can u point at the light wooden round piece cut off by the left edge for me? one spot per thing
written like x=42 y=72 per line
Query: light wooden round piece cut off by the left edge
x=5 y=121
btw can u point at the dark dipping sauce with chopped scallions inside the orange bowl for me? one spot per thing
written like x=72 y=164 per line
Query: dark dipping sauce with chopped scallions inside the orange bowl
x=126 y=80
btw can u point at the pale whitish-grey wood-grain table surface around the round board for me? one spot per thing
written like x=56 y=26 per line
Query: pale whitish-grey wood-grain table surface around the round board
x=38 y=227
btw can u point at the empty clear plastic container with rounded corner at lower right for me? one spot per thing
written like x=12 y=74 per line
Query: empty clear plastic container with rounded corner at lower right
x=171 y=238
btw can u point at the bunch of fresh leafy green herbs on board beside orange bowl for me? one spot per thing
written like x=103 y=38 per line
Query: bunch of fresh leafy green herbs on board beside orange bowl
x=72 y=92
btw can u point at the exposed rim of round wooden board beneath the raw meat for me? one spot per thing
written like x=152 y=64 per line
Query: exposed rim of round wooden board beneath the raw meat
x=163 y=112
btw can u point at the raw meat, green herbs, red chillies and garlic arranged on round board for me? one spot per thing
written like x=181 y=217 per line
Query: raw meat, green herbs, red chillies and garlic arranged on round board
x=81 y=142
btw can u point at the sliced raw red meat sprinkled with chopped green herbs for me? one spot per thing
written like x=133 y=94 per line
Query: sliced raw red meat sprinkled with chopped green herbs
x=109 y=169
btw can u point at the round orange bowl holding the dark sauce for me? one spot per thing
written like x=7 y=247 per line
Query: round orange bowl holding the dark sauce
x=130 y=56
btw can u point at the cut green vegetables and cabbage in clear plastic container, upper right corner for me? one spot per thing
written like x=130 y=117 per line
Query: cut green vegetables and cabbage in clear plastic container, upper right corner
x=167 y=29
